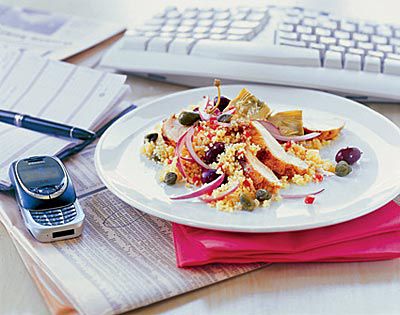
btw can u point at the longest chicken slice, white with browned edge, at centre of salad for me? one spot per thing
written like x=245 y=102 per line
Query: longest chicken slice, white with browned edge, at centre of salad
x=273 y=155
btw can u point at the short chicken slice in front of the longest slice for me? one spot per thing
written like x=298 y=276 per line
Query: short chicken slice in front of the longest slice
x=262 y=176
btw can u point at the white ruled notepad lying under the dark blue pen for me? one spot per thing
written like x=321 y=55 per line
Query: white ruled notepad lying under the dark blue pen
x=52 y=90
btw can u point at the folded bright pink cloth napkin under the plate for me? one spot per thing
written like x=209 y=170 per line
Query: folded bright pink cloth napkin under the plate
x=375 y=236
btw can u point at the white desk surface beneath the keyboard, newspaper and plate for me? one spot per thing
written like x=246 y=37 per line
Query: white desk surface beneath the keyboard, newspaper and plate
x=346 y=288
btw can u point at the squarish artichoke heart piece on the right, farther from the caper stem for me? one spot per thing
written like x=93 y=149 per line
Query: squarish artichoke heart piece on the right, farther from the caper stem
x=289 y=123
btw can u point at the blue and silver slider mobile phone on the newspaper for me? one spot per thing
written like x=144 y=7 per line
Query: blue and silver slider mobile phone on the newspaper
x=46 y=198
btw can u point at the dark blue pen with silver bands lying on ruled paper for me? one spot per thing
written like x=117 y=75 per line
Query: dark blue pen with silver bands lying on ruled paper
x=44 y=126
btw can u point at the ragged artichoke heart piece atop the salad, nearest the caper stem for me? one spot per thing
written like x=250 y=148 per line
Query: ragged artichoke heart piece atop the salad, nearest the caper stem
x=249 y=106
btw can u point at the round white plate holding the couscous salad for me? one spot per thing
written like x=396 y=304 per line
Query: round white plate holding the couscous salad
x=373 y=182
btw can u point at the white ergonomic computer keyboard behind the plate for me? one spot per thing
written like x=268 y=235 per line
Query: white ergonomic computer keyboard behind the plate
x=277 y=45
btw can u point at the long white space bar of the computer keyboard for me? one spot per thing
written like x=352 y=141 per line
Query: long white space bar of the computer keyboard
x=252 y=52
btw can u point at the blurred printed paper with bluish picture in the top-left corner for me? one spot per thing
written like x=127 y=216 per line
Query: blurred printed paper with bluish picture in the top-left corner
x=51 y=35
